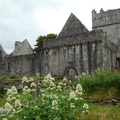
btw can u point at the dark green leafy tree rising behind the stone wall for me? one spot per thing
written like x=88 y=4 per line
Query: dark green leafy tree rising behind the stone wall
x=39 y=40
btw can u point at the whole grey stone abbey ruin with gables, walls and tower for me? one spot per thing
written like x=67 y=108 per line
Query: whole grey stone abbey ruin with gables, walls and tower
x=74 y=51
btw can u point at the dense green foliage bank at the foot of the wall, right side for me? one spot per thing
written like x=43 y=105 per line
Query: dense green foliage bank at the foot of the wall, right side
x=99 y=80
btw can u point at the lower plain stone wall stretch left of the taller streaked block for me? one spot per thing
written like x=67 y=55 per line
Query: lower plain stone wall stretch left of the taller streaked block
x=23 y=65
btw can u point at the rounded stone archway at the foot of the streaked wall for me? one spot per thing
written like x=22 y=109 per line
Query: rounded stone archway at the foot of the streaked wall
x=70 y=73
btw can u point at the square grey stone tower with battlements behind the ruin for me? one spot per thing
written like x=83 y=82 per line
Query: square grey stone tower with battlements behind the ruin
x=109 y=22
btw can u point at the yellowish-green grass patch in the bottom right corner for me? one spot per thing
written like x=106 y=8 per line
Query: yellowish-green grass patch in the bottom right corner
x=102 y=112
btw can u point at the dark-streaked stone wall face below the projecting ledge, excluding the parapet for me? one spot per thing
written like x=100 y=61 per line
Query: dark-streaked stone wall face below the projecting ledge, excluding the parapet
x=82 y=57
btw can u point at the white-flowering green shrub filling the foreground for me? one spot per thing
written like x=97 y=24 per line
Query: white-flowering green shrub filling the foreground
x=55 y=101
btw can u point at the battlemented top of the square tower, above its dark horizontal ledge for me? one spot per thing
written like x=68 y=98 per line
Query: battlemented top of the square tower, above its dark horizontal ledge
x=105 y=18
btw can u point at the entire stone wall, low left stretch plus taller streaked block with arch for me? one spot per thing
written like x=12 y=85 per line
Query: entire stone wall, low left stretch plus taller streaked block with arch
x=65 y=57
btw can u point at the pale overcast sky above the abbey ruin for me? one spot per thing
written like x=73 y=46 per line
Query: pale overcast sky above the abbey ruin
x=28 y=19
